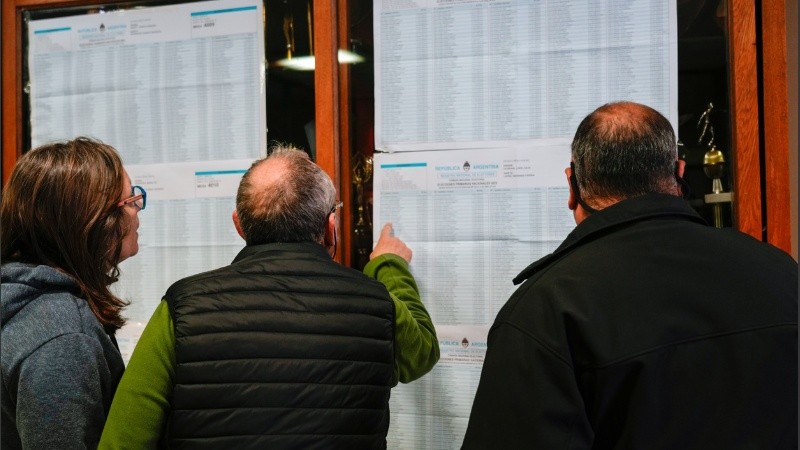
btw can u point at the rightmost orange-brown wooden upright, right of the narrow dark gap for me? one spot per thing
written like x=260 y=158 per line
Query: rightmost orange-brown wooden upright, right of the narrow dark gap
x=776 y=124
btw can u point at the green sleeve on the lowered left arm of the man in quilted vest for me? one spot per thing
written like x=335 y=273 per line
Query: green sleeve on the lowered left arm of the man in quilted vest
x=141 y=404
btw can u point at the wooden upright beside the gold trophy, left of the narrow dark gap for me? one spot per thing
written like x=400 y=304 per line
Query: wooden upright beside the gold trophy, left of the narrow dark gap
x=744 y=117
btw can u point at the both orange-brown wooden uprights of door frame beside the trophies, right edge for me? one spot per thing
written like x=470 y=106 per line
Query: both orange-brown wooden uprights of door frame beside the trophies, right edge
x=759 y=112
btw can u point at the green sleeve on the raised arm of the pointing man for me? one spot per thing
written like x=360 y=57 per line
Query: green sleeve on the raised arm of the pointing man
x=416 y=345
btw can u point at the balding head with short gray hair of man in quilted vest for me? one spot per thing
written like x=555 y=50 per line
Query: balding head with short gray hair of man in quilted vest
x=291 y=203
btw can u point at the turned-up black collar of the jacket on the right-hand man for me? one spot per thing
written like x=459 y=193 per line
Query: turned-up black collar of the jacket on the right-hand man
x=634 y=209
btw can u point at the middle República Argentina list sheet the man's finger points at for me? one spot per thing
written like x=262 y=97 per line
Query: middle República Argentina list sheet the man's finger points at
x=474 y=219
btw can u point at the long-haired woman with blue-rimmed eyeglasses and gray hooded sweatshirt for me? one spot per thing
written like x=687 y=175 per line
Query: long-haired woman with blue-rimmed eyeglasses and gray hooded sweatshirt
x=68 y=217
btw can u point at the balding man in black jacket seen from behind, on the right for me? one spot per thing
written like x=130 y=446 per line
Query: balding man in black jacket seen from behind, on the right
x=646 y=328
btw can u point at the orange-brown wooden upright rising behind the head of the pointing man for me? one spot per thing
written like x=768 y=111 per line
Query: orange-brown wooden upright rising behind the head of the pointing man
x=326 y=81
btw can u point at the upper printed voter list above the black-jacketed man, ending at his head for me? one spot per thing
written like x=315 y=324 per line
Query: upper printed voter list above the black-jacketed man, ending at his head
x=453 y=73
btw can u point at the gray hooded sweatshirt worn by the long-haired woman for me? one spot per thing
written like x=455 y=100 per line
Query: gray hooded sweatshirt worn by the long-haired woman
x=60 y=368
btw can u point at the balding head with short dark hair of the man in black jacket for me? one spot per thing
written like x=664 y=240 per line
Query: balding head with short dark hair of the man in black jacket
x=623 y=150
